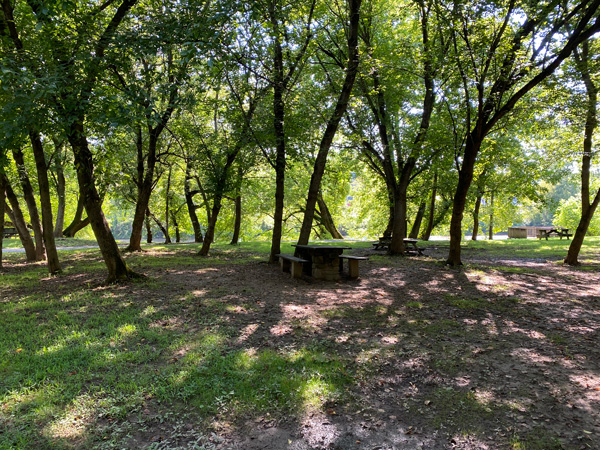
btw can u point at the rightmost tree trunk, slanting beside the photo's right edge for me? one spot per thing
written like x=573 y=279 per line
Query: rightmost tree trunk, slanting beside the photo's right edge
x=591 y=123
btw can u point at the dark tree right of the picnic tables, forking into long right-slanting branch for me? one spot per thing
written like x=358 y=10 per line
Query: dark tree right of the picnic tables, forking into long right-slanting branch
x=501 y=53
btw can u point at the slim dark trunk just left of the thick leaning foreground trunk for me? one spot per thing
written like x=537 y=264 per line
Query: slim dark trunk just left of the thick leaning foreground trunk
x=45 y=202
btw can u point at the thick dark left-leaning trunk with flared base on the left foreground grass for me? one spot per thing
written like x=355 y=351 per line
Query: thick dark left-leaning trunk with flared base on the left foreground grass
x=115 y=264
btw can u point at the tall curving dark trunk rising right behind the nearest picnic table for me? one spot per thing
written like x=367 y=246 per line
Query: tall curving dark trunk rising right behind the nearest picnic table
x=333 y=123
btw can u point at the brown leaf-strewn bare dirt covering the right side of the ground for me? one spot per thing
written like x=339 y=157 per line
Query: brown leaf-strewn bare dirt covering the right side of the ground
x=499 y=354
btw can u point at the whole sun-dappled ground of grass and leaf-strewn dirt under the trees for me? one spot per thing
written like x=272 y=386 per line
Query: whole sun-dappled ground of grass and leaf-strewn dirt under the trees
x=234 y=342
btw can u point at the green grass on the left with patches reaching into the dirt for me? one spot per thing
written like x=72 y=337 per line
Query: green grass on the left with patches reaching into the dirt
x=89 y=366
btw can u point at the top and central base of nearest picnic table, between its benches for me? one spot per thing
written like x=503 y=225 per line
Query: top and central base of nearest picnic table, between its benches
x=323 y=260
